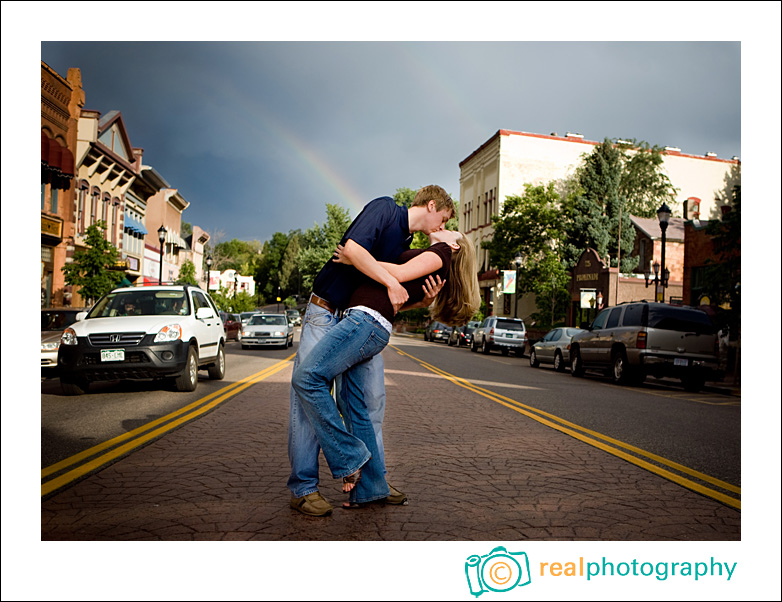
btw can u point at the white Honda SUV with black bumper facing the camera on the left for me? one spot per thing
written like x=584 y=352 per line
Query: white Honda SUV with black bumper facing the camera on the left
x=152 y=332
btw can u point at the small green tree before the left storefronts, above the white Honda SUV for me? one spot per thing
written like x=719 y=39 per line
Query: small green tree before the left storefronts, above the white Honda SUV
x=91 y=269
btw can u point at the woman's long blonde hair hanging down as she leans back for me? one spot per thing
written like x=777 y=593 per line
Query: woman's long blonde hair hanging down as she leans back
x=459 y=298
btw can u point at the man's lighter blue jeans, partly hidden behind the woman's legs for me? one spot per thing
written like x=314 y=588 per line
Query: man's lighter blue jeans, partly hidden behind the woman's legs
x=303 y=446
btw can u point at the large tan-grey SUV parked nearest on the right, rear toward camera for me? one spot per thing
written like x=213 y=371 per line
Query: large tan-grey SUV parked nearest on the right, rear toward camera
x=633 y=340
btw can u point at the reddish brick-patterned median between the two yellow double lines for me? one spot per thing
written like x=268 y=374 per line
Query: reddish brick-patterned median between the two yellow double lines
x=473 y=470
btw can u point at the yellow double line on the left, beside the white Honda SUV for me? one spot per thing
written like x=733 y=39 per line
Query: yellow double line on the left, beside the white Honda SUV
x=138 y=437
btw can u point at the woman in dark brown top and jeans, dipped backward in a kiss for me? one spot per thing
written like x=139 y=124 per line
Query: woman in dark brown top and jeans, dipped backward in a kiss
x=348 y=441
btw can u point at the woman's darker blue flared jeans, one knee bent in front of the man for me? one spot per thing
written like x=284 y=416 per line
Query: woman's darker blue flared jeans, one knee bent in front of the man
x=350 y=443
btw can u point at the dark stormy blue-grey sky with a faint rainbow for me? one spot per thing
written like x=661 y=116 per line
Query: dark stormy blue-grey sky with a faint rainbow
x=259 y=136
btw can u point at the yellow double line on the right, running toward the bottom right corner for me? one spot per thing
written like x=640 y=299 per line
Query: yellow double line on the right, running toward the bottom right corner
x=596 y=439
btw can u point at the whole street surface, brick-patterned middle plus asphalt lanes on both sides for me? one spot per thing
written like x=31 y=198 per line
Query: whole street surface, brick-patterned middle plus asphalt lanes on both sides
x=500 y=451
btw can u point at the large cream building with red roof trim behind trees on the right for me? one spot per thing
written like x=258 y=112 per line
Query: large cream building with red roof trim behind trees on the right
x=509 y=160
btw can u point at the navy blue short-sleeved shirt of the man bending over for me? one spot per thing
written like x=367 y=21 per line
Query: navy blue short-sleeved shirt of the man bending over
x=382 y=228
